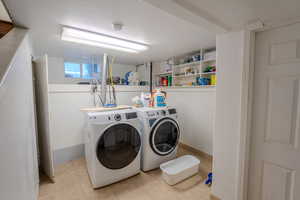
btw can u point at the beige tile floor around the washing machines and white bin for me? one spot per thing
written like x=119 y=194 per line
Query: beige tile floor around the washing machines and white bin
x=72 y=183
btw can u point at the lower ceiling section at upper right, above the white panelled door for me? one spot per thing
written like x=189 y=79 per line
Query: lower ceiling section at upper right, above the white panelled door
x=237 y=13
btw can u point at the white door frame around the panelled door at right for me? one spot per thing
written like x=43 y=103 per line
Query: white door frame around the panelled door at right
x=247 y=91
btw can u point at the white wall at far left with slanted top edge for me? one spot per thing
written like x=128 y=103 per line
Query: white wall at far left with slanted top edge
x=18 y=168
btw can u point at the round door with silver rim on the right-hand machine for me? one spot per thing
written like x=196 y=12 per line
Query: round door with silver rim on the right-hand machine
x=164 y=136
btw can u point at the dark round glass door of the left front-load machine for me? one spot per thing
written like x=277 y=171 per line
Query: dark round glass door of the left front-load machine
x=118 y=146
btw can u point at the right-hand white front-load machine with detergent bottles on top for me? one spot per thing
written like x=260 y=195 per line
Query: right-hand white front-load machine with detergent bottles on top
x=160 y=136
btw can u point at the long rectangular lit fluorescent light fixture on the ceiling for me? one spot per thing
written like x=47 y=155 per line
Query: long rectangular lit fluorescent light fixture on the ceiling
x=101 y=40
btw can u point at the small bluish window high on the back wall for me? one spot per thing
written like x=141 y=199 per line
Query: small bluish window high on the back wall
x=81 y=70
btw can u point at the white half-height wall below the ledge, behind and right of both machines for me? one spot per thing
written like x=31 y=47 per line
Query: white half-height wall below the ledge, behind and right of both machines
x=196 y=108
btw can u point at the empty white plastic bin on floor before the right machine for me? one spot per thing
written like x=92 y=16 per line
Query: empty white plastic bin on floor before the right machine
x=179 y=169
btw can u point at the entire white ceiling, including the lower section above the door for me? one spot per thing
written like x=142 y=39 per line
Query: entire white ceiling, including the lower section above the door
x=170 y=27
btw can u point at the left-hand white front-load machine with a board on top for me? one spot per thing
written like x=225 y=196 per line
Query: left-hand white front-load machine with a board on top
x=112 y=146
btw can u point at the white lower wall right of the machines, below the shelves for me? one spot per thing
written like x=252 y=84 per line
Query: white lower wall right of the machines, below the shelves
x=196 y=110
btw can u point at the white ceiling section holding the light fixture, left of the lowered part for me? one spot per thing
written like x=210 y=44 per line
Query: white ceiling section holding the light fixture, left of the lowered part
x=166 y=34
